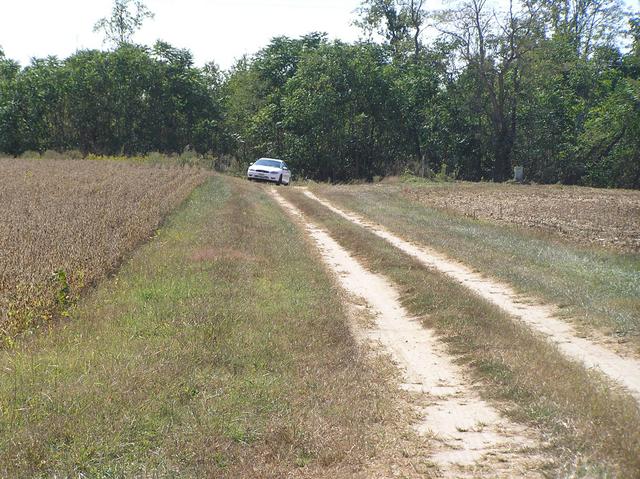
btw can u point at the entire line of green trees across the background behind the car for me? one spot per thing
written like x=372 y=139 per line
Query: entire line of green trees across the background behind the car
x=550 y=85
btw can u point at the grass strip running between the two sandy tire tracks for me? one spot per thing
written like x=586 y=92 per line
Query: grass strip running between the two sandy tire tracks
x=592 y=427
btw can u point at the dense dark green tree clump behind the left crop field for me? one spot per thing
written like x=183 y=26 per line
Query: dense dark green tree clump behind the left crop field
x=127 y=101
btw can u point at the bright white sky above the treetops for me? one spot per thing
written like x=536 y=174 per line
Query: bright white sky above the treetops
x=219 y=30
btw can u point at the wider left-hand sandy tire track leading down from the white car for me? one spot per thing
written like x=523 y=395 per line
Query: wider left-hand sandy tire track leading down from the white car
x=468 y=437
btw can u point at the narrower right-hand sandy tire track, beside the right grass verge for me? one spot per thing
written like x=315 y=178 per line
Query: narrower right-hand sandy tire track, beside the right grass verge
x=542 y=318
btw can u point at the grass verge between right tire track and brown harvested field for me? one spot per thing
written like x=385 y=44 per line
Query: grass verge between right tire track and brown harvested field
x=595 y=288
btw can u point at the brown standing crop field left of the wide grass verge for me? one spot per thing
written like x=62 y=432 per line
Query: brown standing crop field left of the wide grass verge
x=66 y=223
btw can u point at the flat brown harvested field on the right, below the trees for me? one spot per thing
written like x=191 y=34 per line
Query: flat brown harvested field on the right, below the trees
x=588 y=215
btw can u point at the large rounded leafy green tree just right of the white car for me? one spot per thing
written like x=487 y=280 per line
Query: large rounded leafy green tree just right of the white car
x=337 y=119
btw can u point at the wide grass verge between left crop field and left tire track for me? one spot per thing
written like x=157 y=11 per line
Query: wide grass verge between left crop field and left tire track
x=220 y=349
